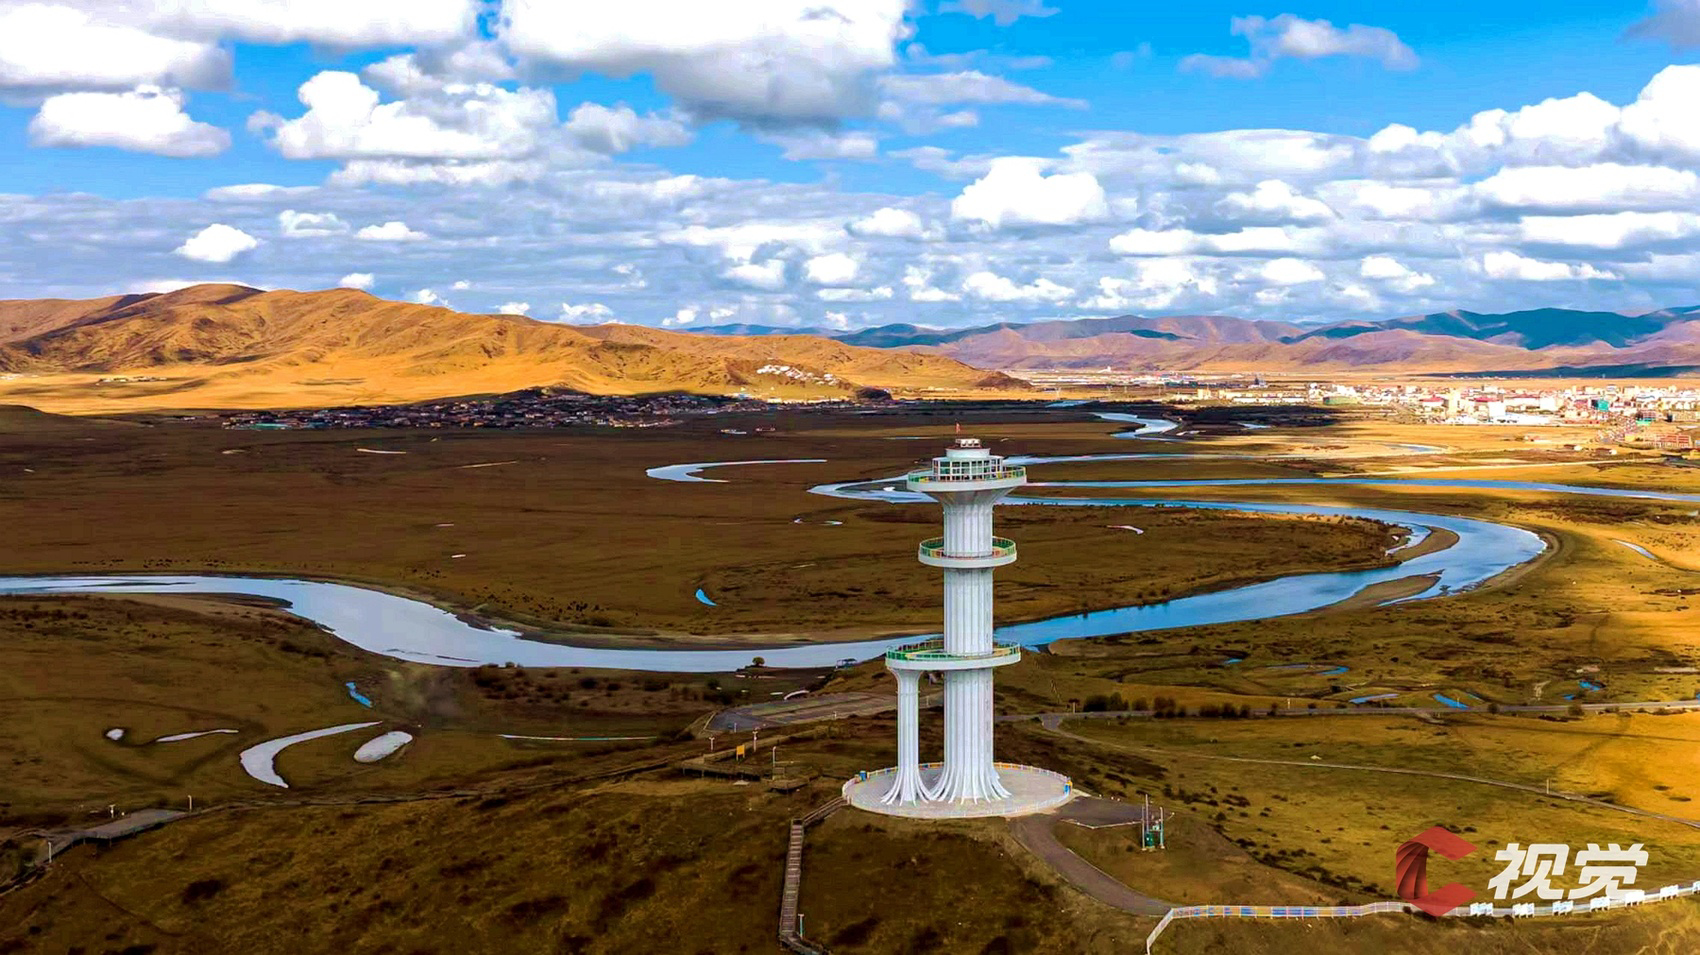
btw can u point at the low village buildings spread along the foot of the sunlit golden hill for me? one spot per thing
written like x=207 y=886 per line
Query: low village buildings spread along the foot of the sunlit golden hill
x=535 y=409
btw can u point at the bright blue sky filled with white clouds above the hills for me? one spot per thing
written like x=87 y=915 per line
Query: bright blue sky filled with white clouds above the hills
x=856 y=162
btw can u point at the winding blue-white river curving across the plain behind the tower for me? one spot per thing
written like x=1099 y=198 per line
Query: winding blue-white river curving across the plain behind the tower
x=411 y=630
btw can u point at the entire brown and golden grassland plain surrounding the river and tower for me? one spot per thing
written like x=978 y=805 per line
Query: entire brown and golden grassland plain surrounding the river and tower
x=574 y=534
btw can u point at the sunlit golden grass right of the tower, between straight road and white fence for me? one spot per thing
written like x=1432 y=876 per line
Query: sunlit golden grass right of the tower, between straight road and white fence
x=1340 y=827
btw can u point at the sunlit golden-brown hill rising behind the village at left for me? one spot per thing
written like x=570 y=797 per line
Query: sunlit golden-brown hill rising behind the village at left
x=239 y=348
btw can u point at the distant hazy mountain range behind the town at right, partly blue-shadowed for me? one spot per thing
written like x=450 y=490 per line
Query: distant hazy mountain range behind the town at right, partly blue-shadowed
x=1454 y=342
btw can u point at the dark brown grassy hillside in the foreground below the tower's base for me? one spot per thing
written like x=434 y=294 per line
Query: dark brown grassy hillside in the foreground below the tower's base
x=632 y=867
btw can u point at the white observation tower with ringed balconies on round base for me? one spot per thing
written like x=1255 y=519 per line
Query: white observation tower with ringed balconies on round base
x=968 y=482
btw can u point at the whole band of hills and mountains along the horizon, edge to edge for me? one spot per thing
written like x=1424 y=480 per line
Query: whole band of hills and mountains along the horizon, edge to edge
x=239 y=348
